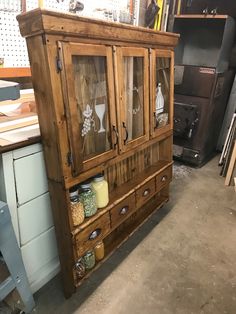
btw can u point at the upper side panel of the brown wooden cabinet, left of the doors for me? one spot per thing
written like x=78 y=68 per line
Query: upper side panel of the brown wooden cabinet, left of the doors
x=48 y=103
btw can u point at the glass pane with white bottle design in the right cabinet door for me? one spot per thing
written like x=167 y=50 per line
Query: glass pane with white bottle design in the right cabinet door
x=162 y=102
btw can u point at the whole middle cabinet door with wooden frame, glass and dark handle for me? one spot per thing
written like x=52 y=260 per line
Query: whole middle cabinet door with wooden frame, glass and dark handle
x=131 y=66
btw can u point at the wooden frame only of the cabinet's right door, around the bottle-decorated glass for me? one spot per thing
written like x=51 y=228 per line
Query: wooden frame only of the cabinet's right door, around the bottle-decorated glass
x=154 y=53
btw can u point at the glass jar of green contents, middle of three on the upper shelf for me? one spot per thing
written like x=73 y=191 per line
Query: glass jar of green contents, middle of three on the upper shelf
x=88 y=198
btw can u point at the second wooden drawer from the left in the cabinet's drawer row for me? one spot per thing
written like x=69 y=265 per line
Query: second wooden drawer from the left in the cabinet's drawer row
x=121 y=211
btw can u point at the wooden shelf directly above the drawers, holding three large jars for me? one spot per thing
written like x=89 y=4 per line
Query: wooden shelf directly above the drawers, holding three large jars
x=123 y=192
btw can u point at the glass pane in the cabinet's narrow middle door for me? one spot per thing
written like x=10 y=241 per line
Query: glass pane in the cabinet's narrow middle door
x=133 y=96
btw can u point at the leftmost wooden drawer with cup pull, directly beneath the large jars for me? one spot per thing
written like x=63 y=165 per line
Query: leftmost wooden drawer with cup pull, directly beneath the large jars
x=87 y=238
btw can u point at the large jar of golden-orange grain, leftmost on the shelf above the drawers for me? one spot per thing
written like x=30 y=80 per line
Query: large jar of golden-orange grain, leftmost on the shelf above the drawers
x=77 y=209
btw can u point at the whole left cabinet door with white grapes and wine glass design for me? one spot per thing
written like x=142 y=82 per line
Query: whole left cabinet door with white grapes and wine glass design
x=90 y=105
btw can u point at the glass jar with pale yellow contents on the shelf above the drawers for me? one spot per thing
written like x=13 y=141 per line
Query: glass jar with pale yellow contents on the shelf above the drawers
x=100 y=186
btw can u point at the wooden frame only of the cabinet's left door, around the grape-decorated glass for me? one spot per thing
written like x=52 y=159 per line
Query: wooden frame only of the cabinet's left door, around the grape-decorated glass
x=67 y=50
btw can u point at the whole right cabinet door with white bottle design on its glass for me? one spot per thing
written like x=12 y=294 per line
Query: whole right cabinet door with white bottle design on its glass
x=161 y=114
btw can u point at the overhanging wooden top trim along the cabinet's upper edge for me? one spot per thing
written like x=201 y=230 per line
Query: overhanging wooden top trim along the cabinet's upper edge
x=41 y=21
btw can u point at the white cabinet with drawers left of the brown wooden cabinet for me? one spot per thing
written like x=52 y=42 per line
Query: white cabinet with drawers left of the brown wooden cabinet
x=23 y=185
